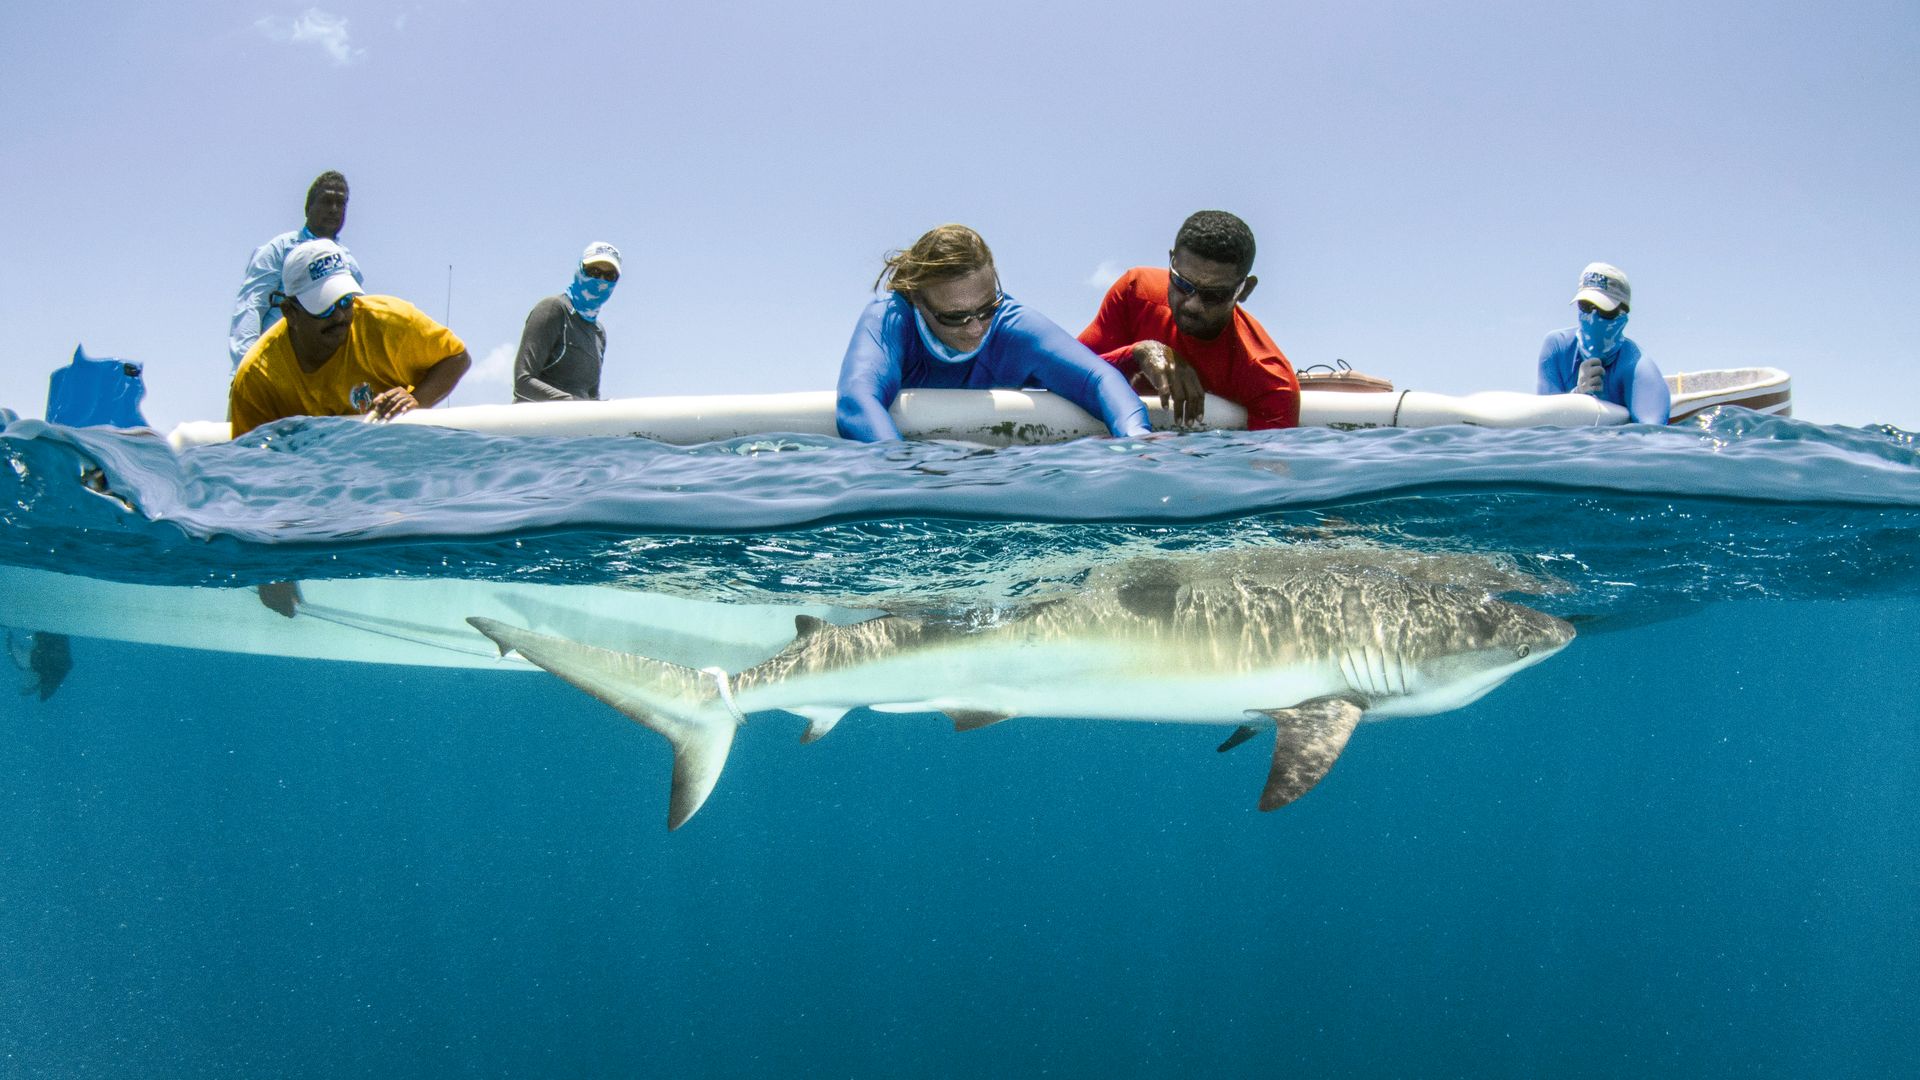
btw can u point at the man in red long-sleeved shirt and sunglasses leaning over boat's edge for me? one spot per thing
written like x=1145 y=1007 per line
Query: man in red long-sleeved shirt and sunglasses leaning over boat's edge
x=1182 y=331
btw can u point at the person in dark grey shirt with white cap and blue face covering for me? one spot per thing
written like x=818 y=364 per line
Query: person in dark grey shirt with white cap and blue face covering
x=564 y=343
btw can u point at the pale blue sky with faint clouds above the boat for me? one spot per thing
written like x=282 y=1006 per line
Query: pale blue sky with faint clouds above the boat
x=1426 y=180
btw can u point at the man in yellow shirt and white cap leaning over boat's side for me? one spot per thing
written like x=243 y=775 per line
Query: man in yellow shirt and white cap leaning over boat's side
x=341 y=353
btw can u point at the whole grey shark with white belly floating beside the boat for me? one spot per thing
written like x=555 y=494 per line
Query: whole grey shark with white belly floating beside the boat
x=1307 y=652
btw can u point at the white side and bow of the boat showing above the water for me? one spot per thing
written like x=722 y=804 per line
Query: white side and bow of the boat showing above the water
x=1007 y=418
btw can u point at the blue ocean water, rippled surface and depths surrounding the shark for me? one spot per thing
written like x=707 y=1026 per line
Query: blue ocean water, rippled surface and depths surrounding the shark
x=1685 y=847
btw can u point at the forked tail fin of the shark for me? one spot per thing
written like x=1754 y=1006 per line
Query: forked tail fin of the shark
x=692 y=710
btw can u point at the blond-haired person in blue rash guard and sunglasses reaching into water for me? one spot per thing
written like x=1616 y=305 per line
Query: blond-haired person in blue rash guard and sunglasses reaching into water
x=944 y=322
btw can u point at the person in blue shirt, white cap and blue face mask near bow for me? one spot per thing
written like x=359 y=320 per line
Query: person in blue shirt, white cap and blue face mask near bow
x=1598 y=358
